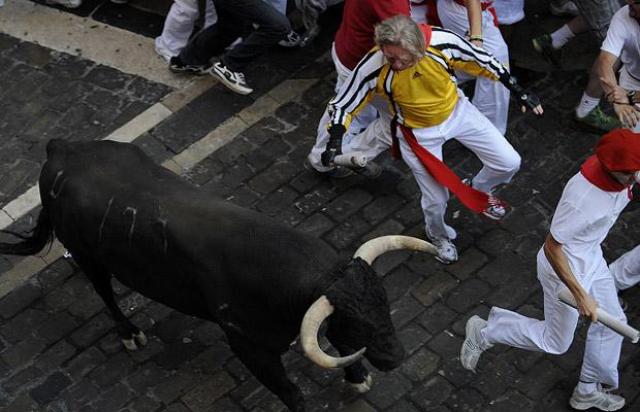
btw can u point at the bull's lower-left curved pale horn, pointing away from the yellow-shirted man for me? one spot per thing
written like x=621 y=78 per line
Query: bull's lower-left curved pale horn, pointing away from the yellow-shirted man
x=316 y=314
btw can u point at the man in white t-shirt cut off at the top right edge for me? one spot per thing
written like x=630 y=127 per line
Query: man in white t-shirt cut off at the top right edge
x=622 y=44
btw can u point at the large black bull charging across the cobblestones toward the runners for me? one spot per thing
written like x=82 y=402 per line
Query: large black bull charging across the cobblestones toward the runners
x=120 y=214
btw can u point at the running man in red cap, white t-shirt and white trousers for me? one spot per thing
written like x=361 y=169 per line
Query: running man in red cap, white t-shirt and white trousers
x=571 y=257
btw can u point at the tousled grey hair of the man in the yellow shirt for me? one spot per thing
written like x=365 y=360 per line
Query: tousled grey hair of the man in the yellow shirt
x=401 y=31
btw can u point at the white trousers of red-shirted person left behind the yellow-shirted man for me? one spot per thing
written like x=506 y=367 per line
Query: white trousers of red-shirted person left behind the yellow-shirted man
x=368 y=133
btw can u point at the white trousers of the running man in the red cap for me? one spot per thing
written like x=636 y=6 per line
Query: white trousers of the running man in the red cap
x=555 y=333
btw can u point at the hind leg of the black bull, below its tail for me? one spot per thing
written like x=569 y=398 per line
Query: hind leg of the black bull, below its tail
x=130 y=335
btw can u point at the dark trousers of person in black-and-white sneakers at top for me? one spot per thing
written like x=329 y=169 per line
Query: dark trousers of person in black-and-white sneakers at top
x=235 y=19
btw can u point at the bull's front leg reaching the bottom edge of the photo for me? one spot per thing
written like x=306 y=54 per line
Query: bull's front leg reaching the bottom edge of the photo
x=267 y=367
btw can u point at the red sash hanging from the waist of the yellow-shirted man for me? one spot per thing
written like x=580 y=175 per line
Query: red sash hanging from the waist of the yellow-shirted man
x=473 y=199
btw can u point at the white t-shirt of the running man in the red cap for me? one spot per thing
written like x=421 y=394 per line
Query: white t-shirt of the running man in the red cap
x=582 y=220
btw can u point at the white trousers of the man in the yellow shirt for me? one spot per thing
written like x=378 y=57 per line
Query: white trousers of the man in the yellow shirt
x=469 y=127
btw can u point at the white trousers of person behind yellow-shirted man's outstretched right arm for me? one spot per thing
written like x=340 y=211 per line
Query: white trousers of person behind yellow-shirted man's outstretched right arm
x=490 y=97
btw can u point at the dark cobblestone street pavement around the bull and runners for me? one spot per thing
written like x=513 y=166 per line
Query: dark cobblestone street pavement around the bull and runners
x=58 y=347
